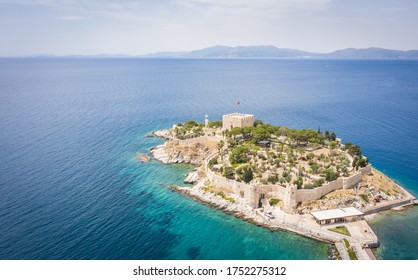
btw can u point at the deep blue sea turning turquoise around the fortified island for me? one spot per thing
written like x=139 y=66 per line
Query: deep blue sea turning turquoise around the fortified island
x=71 y=188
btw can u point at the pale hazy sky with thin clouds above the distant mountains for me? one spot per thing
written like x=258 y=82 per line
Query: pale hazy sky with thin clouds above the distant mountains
x=136 y=27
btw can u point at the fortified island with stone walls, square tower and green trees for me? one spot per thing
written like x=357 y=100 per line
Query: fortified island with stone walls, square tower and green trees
x=300 y=180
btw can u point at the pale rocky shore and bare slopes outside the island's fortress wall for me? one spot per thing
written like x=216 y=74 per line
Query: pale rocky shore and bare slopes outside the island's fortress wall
x=196 y=151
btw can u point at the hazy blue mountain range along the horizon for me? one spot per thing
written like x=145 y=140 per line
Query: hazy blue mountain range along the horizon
x=274 y=52
